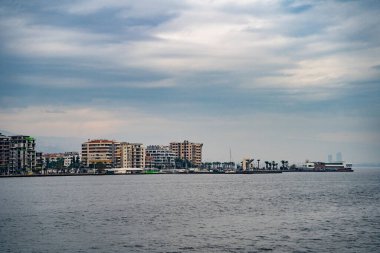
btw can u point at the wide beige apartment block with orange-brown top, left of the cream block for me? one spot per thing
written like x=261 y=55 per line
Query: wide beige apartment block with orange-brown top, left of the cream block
x=101 y=151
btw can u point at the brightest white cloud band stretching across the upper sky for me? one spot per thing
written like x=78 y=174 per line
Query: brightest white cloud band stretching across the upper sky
x=205 y=36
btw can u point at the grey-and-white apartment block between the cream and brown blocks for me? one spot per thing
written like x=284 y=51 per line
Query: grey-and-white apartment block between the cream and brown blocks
x=158 y=156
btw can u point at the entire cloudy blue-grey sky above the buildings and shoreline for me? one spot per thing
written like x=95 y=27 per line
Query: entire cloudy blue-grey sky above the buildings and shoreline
x=270 y=80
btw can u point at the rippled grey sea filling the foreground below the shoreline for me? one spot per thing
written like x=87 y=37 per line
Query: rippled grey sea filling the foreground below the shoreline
x=288 y=212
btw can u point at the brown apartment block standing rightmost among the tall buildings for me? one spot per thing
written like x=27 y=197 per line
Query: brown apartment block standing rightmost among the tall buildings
x=188 y=150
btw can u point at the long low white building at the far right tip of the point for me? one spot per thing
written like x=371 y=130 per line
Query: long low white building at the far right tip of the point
x=326 y=167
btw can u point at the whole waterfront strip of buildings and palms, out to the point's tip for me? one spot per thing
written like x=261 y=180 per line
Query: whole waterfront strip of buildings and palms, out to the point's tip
x=18 y=156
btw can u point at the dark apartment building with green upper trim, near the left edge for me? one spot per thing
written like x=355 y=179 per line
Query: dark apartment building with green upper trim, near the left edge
x=22 y=154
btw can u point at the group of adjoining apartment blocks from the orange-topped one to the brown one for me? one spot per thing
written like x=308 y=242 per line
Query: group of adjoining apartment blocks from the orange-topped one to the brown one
x=114 y=154
